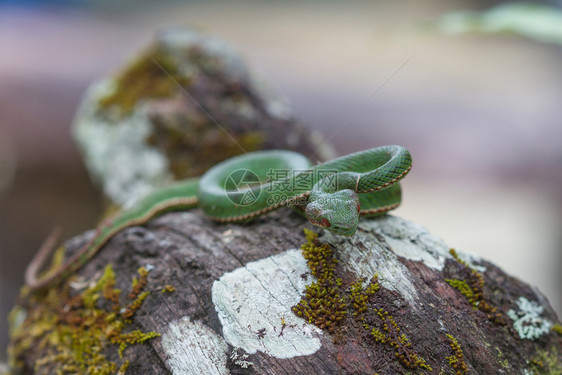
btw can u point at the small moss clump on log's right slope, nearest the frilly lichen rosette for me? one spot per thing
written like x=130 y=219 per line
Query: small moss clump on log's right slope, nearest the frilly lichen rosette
x=473 y=289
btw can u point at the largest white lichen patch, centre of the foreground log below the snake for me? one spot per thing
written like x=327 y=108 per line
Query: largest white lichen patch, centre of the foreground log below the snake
x=254 y=304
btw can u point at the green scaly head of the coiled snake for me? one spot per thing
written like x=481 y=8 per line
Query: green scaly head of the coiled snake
x=337 y=212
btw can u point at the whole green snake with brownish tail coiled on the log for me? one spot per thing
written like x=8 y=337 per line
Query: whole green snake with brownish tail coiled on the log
x=332 y=195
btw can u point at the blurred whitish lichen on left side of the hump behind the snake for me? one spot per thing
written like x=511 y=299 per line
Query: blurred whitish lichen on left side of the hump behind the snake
x=116 y=152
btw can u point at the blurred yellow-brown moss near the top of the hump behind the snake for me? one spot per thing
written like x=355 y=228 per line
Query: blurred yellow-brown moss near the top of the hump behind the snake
x=155 y=74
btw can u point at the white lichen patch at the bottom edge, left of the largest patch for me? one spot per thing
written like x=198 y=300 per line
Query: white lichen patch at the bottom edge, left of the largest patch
x=194 y=348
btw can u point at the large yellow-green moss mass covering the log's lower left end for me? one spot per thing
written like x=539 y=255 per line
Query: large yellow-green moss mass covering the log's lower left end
x=76 y=332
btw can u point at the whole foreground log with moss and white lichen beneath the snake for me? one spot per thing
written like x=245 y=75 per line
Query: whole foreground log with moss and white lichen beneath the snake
x=247 y=299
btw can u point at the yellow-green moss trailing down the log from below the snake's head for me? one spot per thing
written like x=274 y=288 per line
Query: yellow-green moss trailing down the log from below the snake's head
x=326 y=302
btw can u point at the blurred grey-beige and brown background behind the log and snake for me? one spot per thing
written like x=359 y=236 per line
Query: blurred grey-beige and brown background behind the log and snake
x=480 y=111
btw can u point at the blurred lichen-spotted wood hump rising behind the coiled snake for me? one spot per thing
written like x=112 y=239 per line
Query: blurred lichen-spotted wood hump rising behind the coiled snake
x=185 y=103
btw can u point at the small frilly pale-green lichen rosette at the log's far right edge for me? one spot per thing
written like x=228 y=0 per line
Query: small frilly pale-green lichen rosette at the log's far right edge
x=527 y=321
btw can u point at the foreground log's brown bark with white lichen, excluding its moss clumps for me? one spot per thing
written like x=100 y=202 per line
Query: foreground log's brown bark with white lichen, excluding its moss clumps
x=235 y=286
